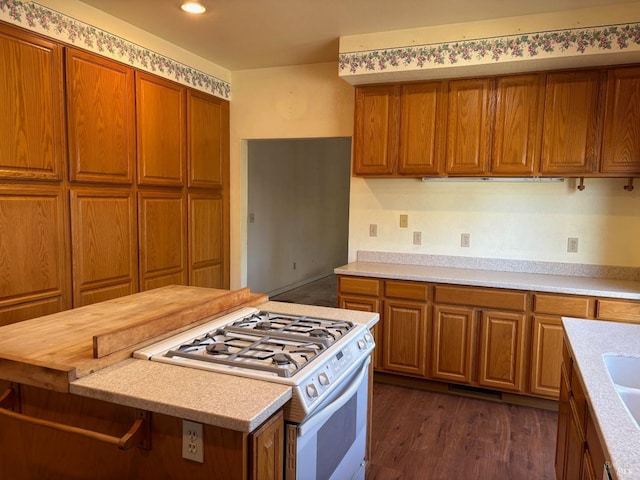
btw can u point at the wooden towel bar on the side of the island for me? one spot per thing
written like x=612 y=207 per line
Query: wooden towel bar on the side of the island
x=138 y=434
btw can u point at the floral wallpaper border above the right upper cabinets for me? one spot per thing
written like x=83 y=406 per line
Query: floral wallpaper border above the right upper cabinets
x=496 y=49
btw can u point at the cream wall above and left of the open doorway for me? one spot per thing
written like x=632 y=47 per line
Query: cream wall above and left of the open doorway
x=308 y=101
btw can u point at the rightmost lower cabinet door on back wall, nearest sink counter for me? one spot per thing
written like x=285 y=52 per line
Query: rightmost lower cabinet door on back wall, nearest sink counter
x=546 y=356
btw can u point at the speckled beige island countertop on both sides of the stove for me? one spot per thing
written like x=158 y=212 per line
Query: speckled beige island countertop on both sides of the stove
x=227 y=401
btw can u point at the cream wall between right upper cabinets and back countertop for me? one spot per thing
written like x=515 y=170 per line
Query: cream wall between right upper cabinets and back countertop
x=520 y=221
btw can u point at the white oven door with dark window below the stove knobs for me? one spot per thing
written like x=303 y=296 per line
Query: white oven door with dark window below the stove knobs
x=331 y=443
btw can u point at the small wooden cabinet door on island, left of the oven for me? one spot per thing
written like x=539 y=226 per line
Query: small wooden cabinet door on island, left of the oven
x=267 y=450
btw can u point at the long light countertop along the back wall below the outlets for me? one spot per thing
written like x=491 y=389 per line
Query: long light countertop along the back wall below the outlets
x=576 y=285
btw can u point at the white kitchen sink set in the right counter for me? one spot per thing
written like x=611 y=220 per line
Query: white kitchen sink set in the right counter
x=625 y=375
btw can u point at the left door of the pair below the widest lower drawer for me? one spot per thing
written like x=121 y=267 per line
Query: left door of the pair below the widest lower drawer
x=453 y=343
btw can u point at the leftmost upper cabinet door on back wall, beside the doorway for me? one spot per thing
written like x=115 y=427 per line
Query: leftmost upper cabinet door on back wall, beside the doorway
x=375 y=135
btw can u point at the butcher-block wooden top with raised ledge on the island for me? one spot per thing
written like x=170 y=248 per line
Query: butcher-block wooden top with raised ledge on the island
x=53 y=350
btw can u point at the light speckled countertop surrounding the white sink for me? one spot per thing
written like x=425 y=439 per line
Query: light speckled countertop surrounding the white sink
x=589 y=341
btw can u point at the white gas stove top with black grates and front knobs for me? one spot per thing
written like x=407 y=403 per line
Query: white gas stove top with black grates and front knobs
x=311 y=354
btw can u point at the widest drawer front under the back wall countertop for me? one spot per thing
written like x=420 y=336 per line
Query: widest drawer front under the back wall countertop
x=481 y=297
